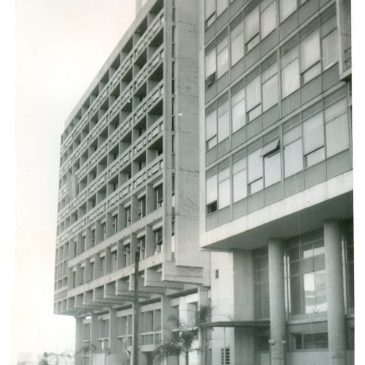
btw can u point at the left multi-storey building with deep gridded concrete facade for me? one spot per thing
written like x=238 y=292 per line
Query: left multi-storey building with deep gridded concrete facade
x=129 y=178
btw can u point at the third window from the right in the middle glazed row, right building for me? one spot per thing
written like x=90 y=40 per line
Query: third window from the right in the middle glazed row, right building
x=290 y=80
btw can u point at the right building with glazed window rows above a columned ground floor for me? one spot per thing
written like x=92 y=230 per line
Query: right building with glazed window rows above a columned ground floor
x=277 y=176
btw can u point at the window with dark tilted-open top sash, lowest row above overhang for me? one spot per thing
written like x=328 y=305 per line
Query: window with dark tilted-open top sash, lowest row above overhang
x=272 y=163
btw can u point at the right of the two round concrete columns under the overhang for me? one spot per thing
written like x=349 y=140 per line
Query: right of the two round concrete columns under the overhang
x=335 y=294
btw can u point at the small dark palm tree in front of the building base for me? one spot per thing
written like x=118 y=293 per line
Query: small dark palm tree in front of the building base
x=182 y=337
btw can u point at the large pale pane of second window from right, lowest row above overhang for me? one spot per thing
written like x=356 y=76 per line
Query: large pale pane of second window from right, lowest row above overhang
x=313 y=133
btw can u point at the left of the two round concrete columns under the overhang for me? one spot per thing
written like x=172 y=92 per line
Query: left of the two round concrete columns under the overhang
x=277 y=302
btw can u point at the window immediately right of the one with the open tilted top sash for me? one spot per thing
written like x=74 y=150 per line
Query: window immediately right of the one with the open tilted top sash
x=293 y=151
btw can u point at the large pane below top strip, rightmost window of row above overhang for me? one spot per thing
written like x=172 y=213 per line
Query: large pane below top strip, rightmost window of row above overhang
x=337 y=135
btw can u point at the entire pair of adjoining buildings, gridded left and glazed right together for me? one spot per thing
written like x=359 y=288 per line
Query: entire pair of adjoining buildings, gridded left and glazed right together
x=215 y=142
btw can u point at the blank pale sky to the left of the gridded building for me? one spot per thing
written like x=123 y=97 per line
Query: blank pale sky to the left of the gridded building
x=59 y=48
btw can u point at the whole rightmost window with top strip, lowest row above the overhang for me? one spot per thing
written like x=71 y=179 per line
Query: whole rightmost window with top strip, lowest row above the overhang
x=337 y=128
